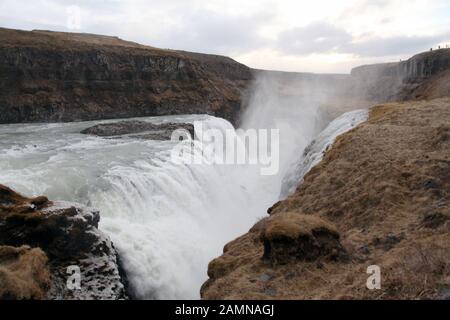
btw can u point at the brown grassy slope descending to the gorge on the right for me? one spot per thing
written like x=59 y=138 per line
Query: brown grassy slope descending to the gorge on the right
x=380 y=196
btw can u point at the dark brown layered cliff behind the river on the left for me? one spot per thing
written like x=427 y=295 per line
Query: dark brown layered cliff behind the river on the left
x=53 y=76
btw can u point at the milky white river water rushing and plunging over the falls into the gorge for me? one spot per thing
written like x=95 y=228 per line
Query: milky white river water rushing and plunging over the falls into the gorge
x=166 y=220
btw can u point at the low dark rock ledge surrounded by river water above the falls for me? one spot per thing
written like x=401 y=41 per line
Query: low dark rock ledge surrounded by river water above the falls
x=140 y=129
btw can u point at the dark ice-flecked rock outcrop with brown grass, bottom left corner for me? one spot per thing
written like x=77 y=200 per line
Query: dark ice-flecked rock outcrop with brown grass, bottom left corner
x=43 y=243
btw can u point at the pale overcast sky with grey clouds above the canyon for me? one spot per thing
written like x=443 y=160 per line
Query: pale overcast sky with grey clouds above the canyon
x=290 y=35
